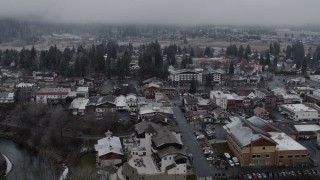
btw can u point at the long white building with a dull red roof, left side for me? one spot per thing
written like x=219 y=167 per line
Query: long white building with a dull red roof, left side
x=52 y=95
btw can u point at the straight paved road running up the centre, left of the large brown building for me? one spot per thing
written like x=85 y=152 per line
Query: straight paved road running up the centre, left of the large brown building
x=200 y=164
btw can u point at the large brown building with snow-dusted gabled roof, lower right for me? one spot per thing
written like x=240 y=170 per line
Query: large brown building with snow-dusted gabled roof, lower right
x=256 y=143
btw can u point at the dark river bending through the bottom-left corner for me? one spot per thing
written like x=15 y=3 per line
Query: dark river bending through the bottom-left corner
x=25 y=165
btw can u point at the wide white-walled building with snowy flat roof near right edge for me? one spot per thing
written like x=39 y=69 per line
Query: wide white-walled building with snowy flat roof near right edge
x=301 y=111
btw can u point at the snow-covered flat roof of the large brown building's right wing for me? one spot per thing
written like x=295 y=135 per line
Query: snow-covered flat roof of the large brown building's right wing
x=285 y=142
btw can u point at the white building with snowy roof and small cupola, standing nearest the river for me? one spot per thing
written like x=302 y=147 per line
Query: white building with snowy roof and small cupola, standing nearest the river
x=109 y=150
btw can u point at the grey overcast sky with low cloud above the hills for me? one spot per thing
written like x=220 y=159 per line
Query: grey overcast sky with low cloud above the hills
x=186 y=12
